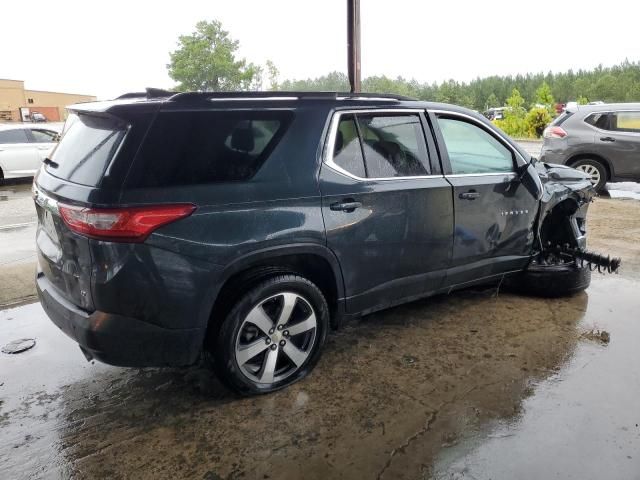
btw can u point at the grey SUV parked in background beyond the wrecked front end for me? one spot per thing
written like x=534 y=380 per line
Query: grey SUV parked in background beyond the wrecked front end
x=602 y=140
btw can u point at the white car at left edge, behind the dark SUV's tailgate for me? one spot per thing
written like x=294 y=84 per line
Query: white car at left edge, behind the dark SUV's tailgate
x=23 y=147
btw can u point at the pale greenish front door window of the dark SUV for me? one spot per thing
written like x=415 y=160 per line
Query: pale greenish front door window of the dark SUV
x=473 y=150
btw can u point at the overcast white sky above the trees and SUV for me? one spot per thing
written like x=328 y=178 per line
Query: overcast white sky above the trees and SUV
x=109 y=48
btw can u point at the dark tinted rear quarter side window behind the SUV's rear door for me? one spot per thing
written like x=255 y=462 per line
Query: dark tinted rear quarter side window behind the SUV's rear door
x=188 y=148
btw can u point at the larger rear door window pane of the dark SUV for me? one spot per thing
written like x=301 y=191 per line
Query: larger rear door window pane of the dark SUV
x=394 y=145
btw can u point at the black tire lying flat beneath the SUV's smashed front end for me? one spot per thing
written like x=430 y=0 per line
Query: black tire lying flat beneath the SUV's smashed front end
x=550 y=281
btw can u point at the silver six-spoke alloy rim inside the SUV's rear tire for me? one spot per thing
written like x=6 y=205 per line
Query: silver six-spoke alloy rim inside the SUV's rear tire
x=276 y=338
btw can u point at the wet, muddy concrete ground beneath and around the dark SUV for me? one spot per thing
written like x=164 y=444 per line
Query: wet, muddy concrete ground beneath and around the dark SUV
x=480 y=384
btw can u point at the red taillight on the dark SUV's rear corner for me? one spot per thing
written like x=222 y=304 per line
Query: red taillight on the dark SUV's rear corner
x=132 y=224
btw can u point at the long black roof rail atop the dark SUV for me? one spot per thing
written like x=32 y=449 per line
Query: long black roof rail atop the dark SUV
x=186 y=96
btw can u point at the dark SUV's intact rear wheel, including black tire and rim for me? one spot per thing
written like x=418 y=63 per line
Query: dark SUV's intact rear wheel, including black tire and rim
x=272 y=337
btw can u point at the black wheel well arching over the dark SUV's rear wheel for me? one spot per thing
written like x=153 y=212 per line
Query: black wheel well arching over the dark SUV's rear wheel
x=313 y=267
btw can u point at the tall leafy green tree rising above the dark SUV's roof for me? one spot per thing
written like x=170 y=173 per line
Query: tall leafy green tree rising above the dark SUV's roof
x=206 y=61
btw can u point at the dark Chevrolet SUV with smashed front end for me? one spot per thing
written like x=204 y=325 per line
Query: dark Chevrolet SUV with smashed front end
x=242 y=226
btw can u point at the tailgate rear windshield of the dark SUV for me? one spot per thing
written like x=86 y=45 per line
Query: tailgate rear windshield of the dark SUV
x=86 y=149
